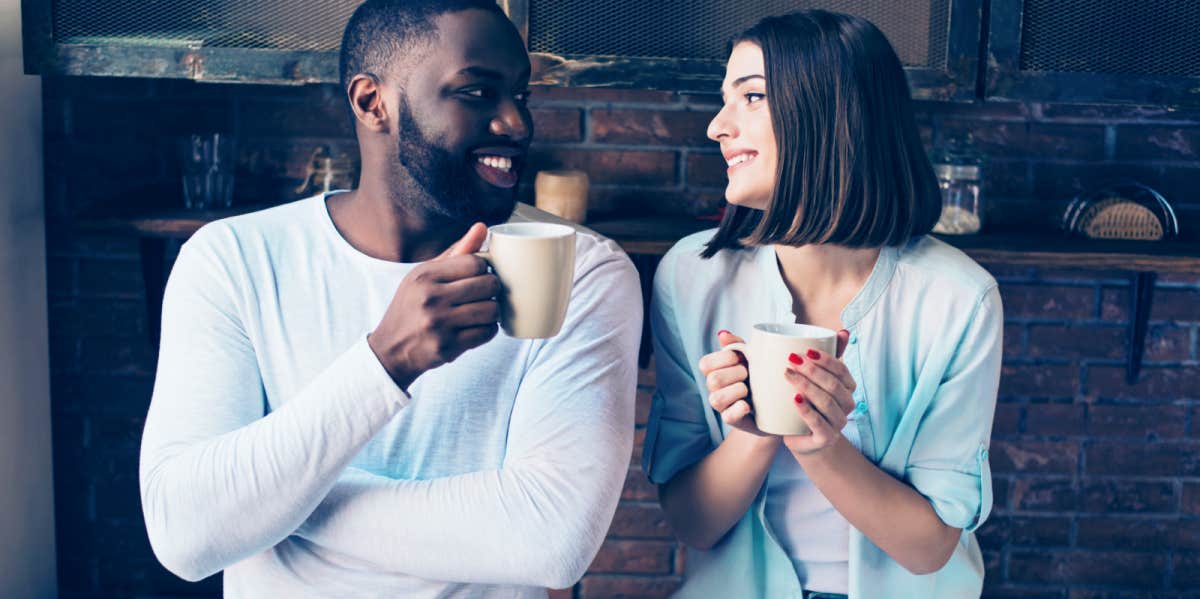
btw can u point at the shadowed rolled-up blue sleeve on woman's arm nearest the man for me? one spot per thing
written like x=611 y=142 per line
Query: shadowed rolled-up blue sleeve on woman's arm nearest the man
x=677 y=434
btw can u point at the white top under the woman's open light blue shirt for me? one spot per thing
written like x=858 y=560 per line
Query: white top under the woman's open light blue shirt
x=814 y=535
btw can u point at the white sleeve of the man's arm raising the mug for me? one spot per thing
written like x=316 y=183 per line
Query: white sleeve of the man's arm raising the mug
x=219 y=481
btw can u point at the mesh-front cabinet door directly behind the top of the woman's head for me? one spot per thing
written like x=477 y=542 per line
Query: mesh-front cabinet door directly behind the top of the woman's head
x=683 y=45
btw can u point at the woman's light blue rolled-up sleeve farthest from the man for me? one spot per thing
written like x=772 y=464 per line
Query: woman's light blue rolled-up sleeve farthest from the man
x=949 y=463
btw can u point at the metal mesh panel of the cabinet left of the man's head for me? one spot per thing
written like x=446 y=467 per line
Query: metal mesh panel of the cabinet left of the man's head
x=286 y=25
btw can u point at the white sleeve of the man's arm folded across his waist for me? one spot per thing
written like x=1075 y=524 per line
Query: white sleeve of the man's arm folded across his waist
x=541 y=519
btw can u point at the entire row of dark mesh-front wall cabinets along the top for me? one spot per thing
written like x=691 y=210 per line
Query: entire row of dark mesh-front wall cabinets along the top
x=1063 y=51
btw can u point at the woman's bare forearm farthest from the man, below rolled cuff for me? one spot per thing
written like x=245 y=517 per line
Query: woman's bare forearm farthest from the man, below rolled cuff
x=892 y=514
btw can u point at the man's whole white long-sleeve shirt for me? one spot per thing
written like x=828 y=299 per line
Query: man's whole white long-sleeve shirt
x=278 y=448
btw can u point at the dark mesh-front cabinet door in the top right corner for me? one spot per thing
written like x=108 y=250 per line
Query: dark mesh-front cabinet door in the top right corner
x=1095 y=51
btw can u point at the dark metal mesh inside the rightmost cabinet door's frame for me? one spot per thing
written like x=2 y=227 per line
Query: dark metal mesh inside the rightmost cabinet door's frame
x=1112 y=37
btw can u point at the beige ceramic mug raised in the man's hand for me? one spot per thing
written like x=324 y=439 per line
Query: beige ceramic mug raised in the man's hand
x=536 y=265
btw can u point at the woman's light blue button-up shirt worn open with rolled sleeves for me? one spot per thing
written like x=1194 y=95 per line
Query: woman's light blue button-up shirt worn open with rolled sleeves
x=926 y=351
